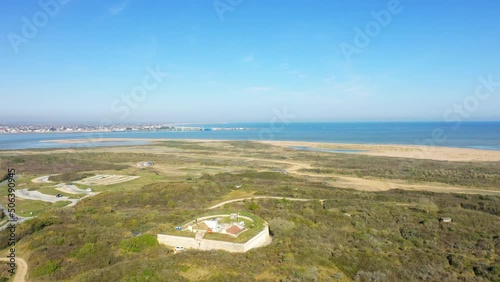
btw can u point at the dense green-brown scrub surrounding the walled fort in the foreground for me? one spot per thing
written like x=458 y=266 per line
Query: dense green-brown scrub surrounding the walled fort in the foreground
x=357 y=235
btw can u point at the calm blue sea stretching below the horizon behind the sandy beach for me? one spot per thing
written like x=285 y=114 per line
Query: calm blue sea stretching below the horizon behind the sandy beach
x=477 y=135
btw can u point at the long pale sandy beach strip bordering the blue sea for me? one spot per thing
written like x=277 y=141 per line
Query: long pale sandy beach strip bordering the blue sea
x=440 y=153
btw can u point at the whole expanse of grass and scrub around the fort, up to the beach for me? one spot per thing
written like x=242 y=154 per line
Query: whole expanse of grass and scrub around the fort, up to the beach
x=355 y=235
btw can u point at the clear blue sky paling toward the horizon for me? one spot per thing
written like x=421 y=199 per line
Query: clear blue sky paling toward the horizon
x=245 y=60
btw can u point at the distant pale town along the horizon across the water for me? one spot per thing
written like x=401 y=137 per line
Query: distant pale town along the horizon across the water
x=6 y=129
